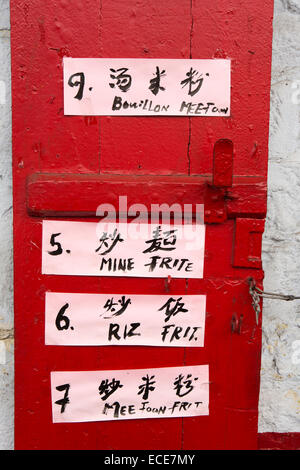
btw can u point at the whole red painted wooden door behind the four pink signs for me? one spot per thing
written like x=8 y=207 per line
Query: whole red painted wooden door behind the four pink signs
x=77 y=161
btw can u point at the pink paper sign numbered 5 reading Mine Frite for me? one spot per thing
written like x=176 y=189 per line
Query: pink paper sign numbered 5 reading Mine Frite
x=108 y=249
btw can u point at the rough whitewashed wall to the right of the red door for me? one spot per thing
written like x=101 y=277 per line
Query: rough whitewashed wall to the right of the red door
x=280 y=375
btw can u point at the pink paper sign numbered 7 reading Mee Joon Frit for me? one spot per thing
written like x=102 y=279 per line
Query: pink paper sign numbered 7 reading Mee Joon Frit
x=130 y=394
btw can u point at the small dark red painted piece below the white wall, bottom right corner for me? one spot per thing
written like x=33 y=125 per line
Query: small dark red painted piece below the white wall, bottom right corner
x=279 y=441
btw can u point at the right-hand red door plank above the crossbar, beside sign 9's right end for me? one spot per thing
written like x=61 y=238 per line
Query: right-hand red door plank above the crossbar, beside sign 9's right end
x=241 y=31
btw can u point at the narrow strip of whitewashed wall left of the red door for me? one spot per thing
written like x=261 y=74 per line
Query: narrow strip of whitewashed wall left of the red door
x=6 y=280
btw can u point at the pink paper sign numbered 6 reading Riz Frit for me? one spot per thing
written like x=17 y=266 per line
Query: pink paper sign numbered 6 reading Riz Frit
x=116 y=319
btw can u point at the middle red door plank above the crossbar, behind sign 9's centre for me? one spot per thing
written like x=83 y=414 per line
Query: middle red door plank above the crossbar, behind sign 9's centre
x=145 y=145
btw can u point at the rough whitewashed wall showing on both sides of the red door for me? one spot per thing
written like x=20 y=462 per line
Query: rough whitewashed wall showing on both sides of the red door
x=280 y=389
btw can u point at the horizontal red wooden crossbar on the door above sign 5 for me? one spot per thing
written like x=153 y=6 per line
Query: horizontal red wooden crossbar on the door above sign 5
x=46 y=193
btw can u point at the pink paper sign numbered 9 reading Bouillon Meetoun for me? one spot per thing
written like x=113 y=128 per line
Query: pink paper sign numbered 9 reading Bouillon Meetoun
x=147 y=87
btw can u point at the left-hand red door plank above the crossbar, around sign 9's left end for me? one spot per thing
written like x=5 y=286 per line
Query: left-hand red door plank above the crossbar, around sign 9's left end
x=41 y=35
